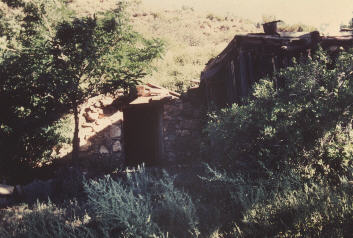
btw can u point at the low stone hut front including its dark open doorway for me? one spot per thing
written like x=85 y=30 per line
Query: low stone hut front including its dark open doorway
x=157 y=133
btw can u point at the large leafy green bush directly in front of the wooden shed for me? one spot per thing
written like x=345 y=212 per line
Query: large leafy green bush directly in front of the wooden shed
x=305 y=122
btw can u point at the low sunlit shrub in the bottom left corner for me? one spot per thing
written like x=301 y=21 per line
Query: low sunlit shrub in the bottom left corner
x=43 y=220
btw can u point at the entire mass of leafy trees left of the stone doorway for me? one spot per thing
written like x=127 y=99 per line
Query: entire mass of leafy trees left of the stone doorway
x=51 y=61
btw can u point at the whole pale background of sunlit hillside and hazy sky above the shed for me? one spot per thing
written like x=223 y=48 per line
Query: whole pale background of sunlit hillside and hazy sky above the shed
x=195 y=31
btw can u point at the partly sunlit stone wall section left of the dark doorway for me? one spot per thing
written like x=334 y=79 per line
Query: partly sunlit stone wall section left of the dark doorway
x=100 y=133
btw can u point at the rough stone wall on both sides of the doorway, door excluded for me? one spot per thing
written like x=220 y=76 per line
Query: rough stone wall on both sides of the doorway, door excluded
x=101 y=129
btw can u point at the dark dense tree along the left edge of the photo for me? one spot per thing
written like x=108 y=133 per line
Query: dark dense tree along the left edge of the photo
x=28 y=98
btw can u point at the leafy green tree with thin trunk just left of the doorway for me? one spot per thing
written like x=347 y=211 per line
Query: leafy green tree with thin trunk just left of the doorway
x=99 y=55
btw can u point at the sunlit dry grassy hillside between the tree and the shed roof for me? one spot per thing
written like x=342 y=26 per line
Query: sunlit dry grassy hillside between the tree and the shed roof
x=191 y=37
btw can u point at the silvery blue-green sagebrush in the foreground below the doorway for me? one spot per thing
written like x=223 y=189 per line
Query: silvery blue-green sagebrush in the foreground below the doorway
x=141 y=206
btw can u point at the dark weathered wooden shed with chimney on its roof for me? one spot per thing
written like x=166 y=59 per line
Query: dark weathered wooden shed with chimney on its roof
x=228 y=77
